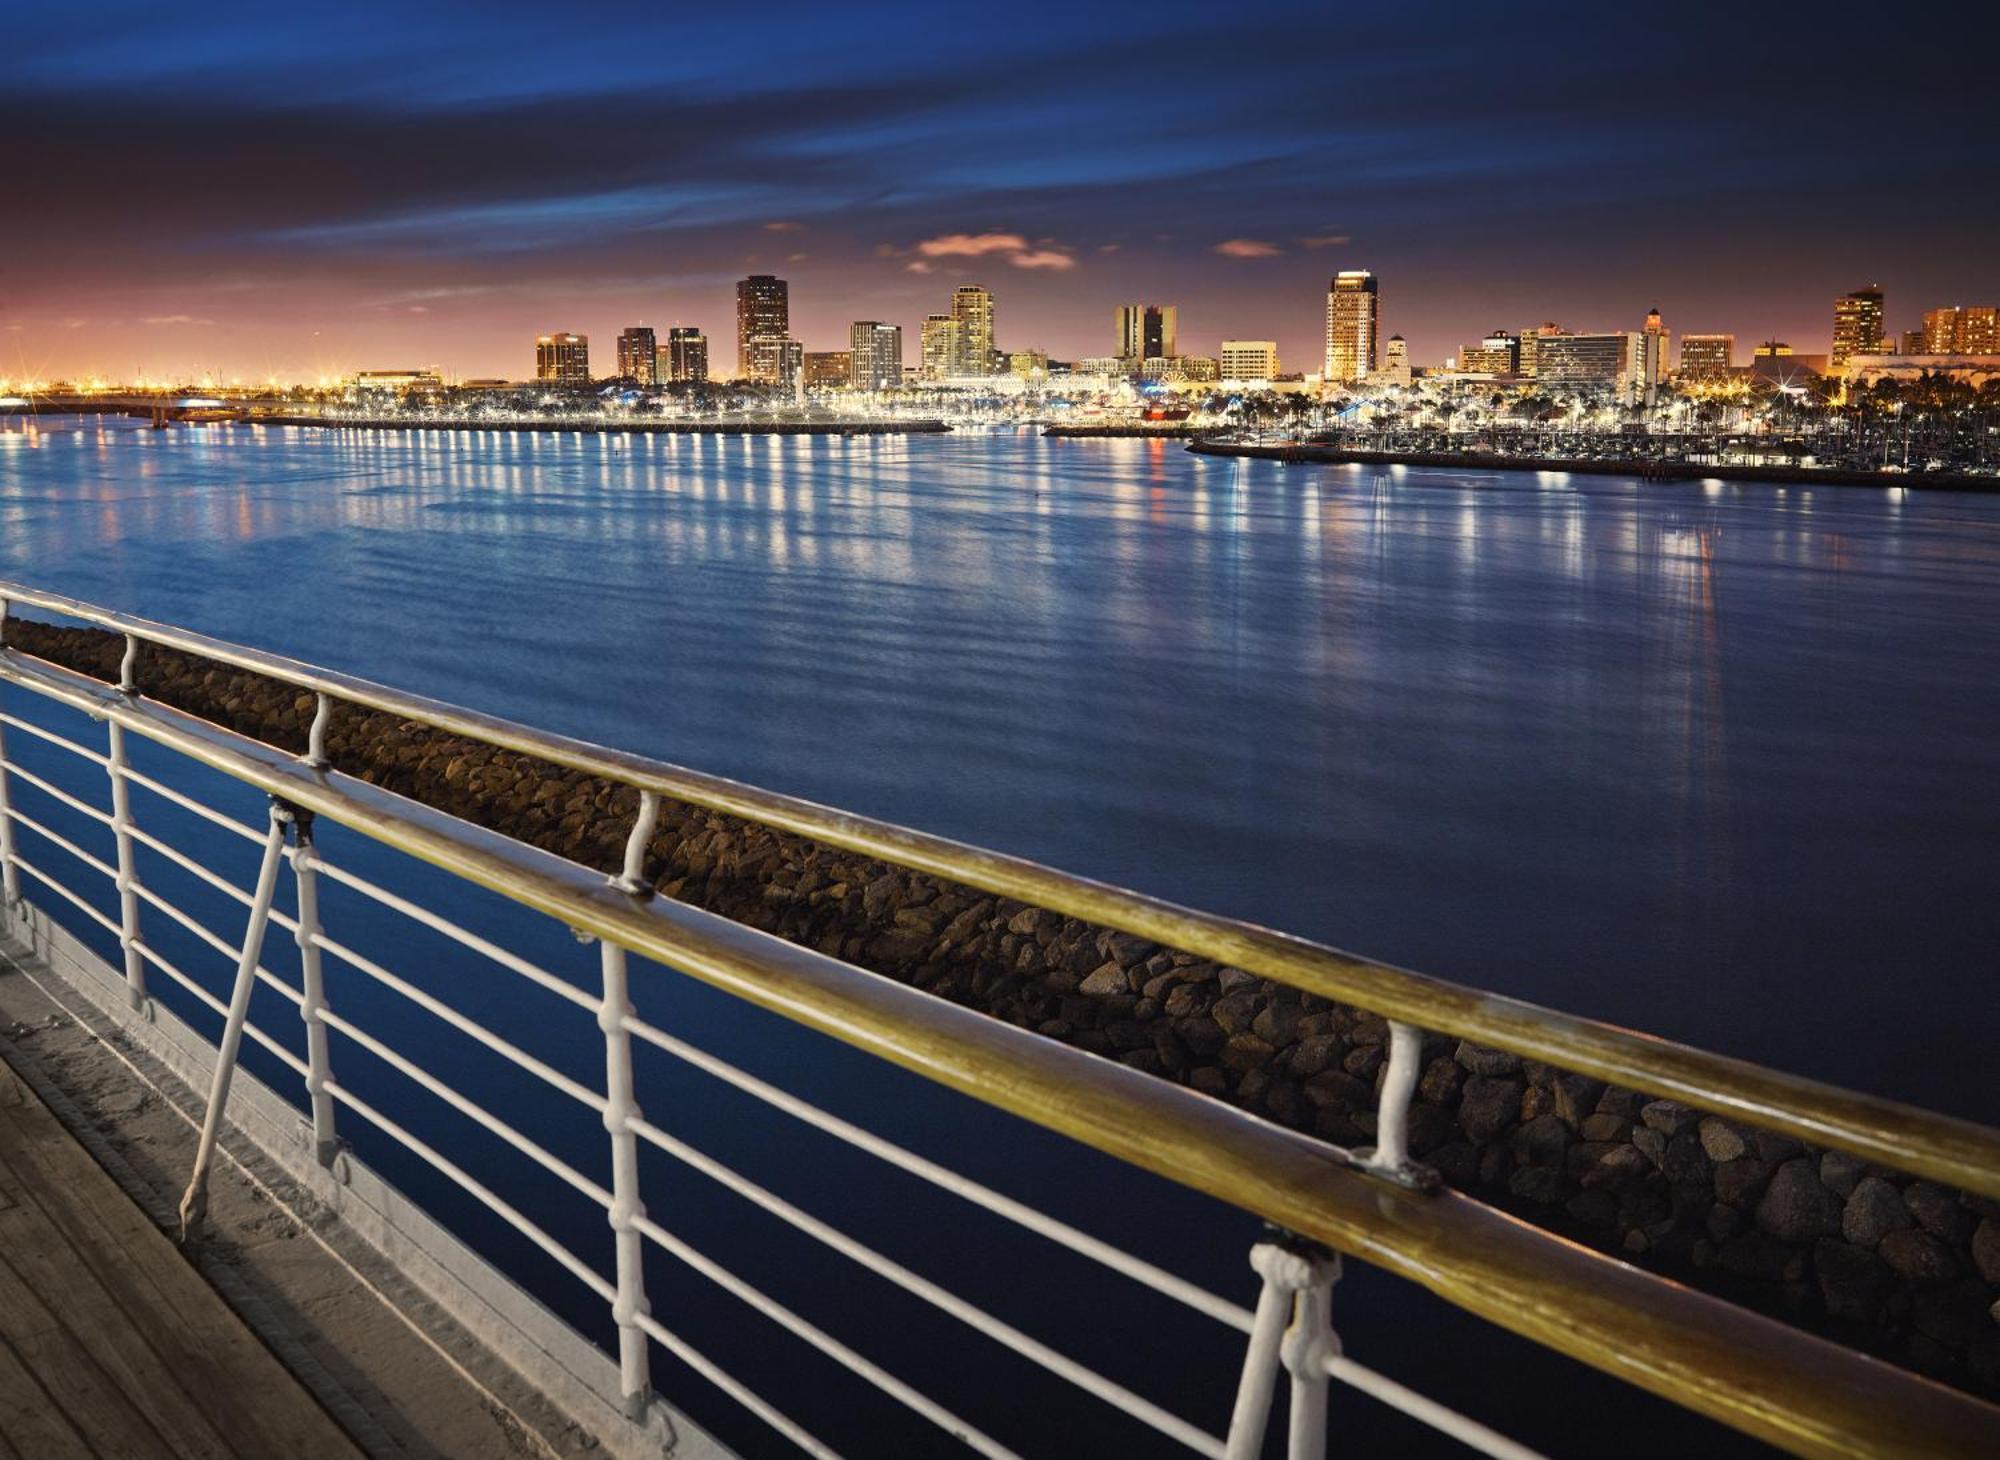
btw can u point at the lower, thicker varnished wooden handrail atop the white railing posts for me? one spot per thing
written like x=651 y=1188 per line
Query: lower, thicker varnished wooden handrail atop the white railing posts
x=1737 y=1367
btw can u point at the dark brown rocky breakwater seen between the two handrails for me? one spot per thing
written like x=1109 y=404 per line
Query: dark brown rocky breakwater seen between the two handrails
x=1877 y=1259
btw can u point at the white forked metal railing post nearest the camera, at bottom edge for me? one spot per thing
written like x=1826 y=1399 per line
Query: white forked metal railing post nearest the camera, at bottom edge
x=1293 y=1327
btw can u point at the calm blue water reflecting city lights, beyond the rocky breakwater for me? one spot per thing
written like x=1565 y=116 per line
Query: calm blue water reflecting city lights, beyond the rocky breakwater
x=1711 y=761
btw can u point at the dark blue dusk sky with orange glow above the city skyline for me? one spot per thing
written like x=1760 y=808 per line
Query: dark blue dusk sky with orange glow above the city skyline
x=299 y=191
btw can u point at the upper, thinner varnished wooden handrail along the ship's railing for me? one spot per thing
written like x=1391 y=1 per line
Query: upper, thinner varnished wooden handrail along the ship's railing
x=1957 y=1153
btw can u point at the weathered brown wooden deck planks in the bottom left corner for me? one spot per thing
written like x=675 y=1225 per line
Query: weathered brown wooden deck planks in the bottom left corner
x=111 y=1345
